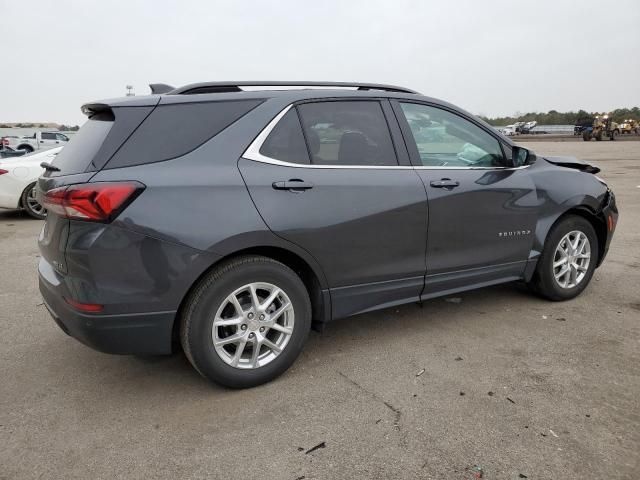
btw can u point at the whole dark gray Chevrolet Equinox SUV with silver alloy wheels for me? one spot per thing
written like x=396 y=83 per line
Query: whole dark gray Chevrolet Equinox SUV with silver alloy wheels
x=231 y=220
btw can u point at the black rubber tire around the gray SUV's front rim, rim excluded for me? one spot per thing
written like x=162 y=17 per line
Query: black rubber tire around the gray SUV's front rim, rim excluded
x=543 y=281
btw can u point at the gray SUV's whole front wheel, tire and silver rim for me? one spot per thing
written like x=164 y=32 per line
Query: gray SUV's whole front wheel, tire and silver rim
x=568 y=260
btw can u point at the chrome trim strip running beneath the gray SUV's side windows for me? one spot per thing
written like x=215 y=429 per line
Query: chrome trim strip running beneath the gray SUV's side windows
x=253 y=153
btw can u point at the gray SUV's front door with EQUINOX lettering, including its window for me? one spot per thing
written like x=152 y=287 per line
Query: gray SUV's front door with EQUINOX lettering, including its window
x=482 y=210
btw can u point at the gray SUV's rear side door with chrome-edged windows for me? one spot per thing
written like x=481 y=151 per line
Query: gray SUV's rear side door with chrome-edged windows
x=325 y=176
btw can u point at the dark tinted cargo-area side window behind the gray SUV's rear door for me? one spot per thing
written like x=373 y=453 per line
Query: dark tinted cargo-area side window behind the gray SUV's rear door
x=175 y=130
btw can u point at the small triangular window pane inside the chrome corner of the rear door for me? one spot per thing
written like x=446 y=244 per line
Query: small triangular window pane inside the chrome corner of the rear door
x=286 y=141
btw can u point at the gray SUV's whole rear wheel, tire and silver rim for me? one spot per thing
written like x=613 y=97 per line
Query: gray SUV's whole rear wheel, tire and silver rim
x=246 y=321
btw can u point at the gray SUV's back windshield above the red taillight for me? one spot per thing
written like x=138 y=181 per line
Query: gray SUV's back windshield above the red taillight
x=84 y=145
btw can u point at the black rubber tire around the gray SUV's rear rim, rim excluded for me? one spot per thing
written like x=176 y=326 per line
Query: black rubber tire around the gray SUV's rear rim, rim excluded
x=210 y=294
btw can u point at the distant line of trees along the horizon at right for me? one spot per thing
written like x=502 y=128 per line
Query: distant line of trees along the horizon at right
x=553 y=117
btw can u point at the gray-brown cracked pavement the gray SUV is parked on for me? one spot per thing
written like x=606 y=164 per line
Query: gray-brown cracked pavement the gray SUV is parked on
x=511 y=384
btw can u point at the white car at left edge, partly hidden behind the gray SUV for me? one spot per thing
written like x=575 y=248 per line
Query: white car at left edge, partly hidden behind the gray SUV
x=18 y=177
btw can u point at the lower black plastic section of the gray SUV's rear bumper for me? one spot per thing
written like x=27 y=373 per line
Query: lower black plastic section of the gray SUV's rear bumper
x=140 y=333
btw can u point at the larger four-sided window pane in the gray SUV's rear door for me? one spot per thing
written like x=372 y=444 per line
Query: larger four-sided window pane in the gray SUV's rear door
x=347 y=133
